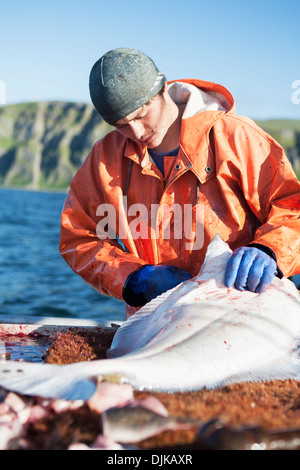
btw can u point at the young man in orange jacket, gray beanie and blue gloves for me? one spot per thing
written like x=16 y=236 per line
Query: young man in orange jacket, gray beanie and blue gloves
x=179 y=168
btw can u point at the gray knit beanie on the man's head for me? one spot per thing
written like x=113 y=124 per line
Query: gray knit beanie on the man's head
x=122 y=81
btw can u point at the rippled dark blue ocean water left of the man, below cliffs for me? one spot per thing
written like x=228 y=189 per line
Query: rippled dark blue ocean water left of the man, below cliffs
x=34 y=278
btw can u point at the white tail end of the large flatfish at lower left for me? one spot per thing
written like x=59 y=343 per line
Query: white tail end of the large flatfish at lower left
x=45 y=380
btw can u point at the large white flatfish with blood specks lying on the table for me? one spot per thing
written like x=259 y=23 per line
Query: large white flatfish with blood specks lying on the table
x=198 y=334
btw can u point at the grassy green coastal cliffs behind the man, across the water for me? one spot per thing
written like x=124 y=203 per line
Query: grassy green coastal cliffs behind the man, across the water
x=43 y=144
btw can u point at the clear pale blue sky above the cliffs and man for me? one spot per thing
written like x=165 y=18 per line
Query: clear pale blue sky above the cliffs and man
x=253 y=48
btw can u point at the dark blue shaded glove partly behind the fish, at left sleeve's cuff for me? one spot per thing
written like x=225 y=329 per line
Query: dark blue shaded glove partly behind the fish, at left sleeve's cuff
x=149 y=281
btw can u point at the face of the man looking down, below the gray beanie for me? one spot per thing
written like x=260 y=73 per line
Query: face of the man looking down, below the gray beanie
x=149 y=124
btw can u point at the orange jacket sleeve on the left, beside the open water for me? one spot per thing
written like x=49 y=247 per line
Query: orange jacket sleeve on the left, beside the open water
x=101 y=262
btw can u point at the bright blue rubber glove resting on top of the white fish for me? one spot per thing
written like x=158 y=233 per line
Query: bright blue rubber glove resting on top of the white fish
x=249 y=268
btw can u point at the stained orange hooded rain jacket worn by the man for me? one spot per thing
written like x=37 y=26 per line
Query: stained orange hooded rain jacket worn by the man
x=233 y=178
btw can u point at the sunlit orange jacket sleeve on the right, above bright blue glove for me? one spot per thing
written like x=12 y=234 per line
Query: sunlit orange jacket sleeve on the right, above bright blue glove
x=272 y=191
